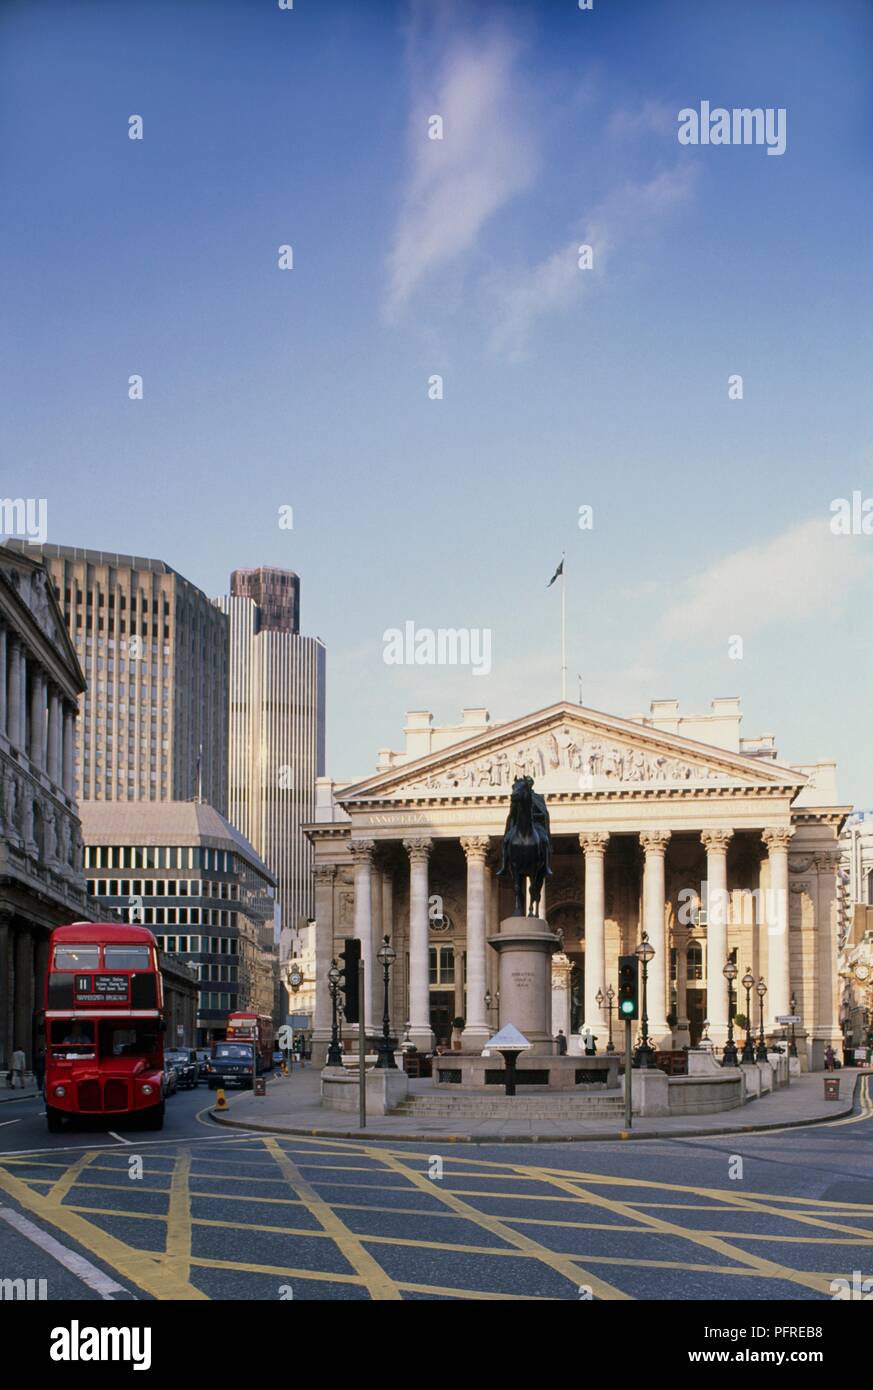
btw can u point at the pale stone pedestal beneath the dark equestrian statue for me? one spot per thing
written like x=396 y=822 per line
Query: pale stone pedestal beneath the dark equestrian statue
x=526 y=947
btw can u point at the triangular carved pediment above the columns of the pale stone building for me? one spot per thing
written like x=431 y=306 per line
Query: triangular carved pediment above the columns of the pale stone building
x=568 y=749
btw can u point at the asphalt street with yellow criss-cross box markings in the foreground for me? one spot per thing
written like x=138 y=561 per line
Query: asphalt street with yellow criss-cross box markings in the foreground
x=205 y=1213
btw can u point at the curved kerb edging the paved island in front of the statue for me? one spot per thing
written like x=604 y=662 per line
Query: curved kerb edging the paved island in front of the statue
x=600 y=1138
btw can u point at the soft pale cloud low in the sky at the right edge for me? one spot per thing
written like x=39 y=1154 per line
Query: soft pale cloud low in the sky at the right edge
x=790 y=579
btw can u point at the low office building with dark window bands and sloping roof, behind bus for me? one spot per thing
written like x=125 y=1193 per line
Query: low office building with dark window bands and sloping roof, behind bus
x=198 y=885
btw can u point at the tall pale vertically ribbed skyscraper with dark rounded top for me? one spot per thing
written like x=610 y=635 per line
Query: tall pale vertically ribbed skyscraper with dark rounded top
x=276 y=742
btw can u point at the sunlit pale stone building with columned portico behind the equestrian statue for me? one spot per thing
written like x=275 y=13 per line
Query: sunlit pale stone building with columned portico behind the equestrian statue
x=667 y=824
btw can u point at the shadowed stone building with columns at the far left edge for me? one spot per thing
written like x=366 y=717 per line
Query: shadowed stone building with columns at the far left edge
x=41 y=847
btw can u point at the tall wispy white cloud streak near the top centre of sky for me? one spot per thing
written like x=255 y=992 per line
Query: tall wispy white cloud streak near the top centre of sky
x=484 y=159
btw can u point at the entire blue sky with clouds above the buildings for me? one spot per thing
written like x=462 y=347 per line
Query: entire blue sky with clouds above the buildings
x=414 y=258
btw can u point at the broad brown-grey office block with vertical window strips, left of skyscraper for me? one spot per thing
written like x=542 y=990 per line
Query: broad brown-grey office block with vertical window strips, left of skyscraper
x=155 y=653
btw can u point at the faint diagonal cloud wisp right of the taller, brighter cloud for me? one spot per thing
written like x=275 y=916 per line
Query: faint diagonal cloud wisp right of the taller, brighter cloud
x=557 y=284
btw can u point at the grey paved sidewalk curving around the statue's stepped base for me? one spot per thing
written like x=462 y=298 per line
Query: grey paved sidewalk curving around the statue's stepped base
x=293 y=1106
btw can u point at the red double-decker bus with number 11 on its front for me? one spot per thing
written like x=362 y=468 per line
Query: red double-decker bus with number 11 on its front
x=105 y=1046
